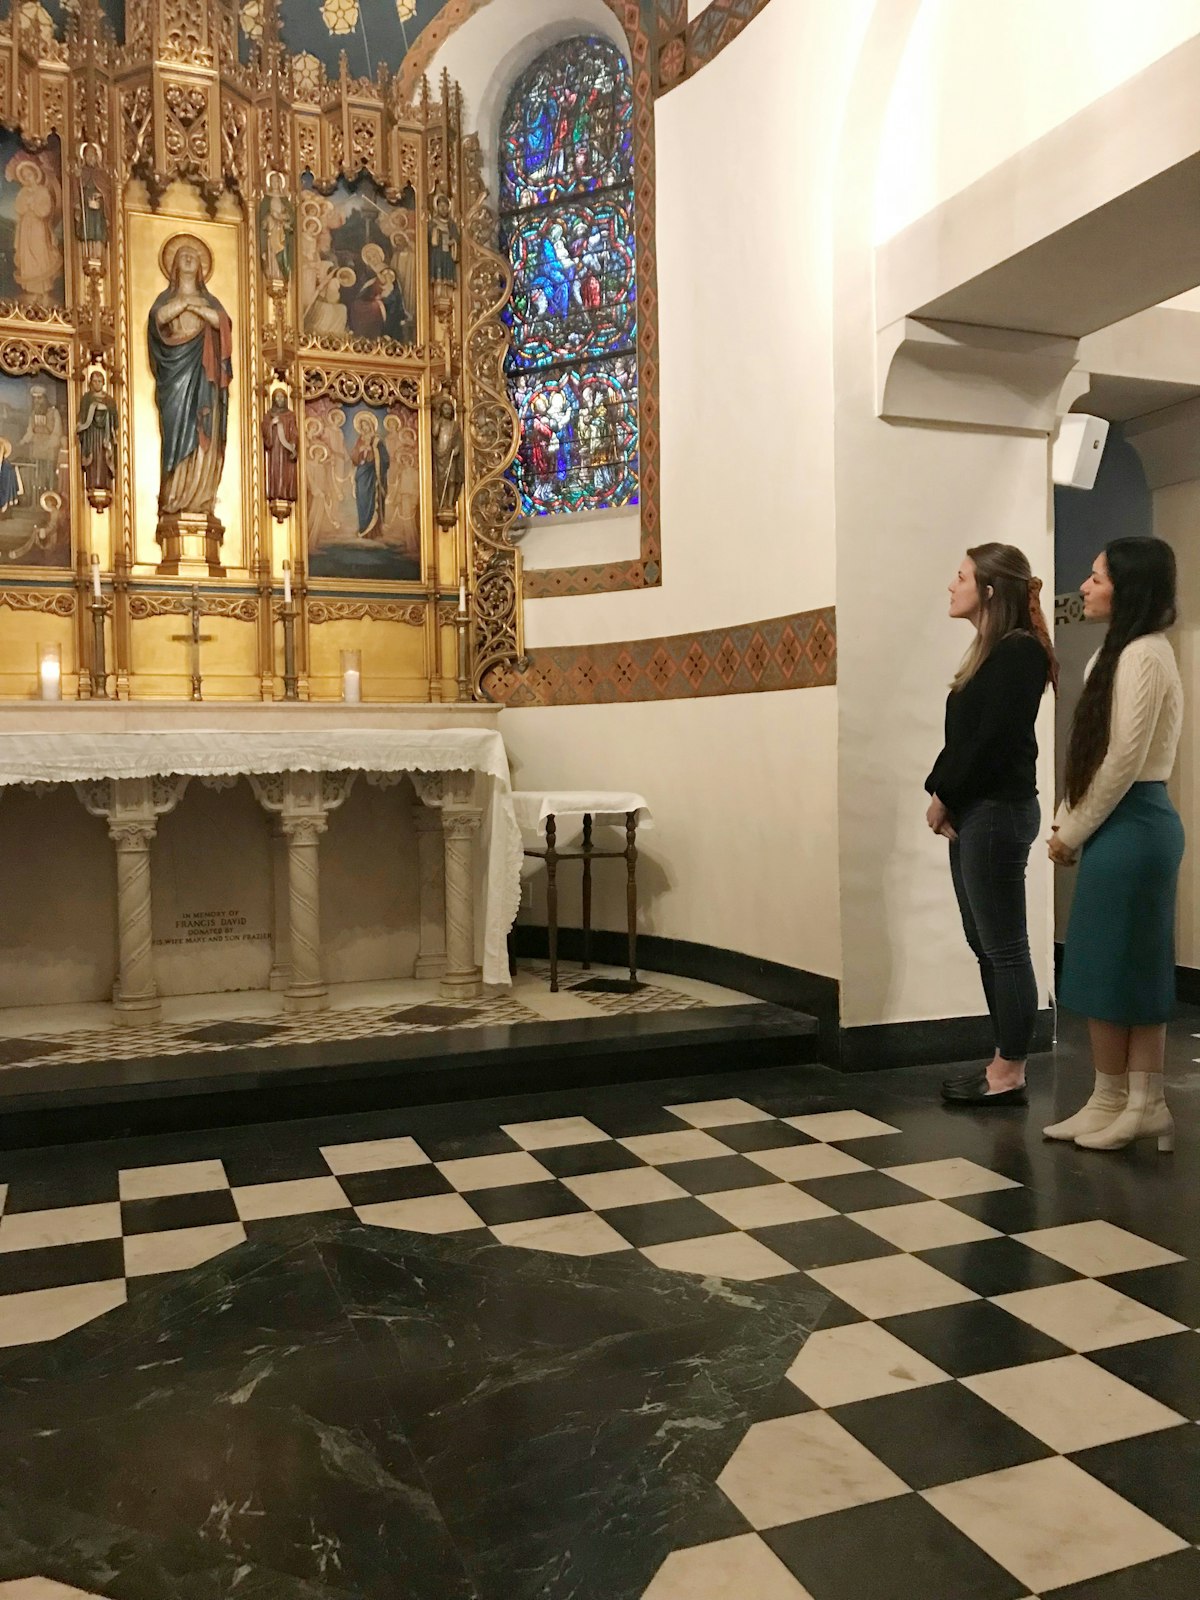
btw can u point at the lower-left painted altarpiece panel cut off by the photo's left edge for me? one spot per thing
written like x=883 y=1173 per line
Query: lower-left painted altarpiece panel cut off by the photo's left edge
x=34 y=473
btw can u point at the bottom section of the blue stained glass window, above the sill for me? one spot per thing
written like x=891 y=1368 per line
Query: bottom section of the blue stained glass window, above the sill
x=580 y=438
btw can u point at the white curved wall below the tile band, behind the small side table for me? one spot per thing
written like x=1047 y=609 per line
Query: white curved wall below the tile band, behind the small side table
x=745 y=815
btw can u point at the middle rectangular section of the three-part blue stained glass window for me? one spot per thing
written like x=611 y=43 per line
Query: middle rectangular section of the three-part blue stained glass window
x=575 y=282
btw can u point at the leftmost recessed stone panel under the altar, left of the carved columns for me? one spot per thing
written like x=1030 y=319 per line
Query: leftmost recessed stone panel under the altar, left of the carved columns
x=58 y=922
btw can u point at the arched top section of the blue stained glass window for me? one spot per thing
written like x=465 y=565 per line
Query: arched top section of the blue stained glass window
x=569 y=126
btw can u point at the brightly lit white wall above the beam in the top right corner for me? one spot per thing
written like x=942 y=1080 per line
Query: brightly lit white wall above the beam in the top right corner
x=978 y=82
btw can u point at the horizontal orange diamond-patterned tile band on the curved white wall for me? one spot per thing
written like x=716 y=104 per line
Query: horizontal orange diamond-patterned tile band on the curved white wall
x=782 y=654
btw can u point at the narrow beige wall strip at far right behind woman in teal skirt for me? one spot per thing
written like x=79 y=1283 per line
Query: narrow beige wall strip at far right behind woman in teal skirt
x=1177 y=519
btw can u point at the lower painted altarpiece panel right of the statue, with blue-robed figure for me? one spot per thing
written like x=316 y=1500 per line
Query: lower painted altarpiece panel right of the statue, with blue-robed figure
x=362 y=474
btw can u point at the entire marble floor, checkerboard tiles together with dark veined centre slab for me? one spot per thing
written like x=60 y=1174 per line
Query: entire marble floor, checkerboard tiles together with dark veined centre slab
x=559 y=1346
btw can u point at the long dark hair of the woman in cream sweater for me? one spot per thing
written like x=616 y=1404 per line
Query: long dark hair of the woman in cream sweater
x=1143 y=602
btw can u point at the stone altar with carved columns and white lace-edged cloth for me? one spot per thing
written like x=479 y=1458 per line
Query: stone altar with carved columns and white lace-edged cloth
x=153 y=850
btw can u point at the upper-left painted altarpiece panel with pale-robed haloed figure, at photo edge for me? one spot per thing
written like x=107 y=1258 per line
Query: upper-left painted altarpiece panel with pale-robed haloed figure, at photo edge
x=31 y=223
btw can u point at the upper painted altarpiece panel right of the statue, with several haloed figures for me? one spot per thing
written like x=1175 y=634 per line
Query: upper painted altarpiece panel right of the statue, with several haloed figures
x=358 y=263
